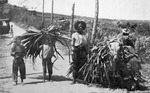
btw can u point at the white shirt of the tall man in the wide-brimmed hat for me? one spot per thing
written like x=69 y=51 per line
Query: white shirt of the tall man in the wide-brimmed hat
x=79 y=39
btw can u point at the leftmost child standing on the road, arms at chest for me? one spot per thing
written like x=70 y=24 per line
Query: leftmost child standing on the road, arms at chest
x=18 y=52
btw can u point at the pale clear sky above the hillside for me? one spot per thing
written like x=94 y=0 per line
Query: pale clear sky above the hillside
x=109 y=9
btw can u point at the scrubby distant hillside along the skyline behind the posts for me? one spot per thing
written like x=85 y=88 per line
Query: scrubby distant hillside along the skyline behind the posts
x=33 y=18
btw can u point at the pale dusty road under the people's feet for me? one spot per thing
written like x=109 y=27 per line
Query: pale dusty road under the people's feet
x=33 y=83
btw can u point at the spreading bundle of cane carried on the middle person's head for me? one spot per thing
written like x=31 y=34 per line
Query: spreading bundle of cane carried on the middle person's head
x=33 y=41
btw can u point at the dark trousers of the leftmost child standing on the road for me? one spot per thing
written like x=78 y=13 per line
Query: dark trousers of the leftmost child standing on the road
x=18 y=65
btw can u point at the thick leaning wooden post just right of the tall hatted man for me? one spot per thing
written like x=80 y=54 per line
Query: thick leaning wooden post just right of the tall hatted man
x=94 y=30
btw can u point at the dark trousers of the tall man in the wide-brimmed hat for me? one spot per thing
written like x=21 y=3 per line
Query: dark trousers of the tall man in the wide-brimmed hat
x=79 y=58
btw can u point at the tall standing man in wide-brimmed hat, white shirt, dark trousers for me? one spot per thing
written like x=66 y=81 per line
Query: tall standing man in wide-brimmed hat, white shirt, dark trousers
x=79 y=48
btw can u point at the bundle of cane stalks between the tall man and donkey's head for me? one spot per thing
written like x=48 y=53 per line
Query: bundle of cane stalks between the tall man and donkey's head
x=96 y=69
